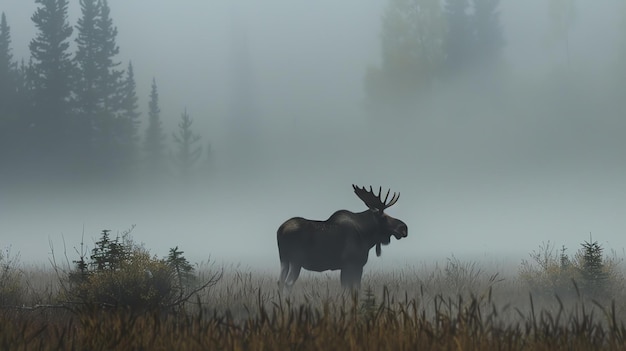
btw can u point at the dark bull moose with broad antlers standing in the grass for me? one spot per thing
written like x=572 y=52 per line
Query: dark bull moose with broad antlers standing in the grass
x=341 y=242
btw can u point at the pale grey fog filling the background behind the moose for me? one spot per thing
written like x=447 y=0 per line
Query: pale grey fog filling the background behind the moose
x=484 y=172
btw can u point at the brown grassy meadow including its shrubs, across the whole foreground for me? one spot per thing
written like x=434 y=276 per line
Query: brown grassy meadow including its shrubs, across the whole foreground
x=119 y=296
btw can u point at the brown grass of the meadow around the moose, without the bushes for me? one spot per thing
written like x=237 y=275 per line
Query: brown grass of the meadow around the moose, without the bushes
x=452 y=305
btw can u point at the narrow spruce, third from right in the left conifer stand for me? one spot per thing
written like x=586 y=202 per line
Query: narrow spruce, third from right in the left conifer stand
x=128 y=118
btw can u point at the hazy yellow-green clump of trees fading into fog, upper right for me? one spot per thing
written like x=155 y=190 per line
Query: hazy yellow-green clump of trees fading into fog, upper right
x=423 y=41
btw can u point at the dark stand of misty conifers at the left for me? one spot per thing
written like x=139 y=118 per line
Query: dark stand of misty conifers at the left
x=75 y=114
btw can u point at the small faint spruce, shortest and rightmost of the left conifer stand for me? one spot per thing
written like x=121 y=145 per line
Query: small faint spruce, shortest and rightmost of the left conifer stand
x=188 y=153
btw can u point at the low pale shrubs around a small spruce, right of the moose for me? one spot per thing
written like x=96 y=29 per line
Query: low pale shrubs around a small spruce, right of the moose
x=552 y=272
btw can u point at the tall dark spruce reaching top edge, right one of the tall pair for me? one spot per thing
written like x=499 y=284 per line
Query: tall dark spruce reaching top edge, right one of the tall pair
x=99 y=87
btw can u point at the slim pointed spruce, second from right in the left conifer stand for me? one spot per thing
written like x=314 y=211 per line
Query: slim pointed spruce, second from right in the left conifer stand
x=154 y=141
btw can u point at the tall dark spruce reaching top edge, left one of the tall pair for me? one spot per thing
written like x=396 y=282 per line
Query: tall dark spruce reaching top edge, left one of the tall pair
x=51 y=73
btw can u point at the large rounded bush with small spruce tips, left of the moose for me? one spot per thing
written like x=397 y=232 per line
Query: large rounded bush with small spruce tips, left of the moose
x=120 y=273
